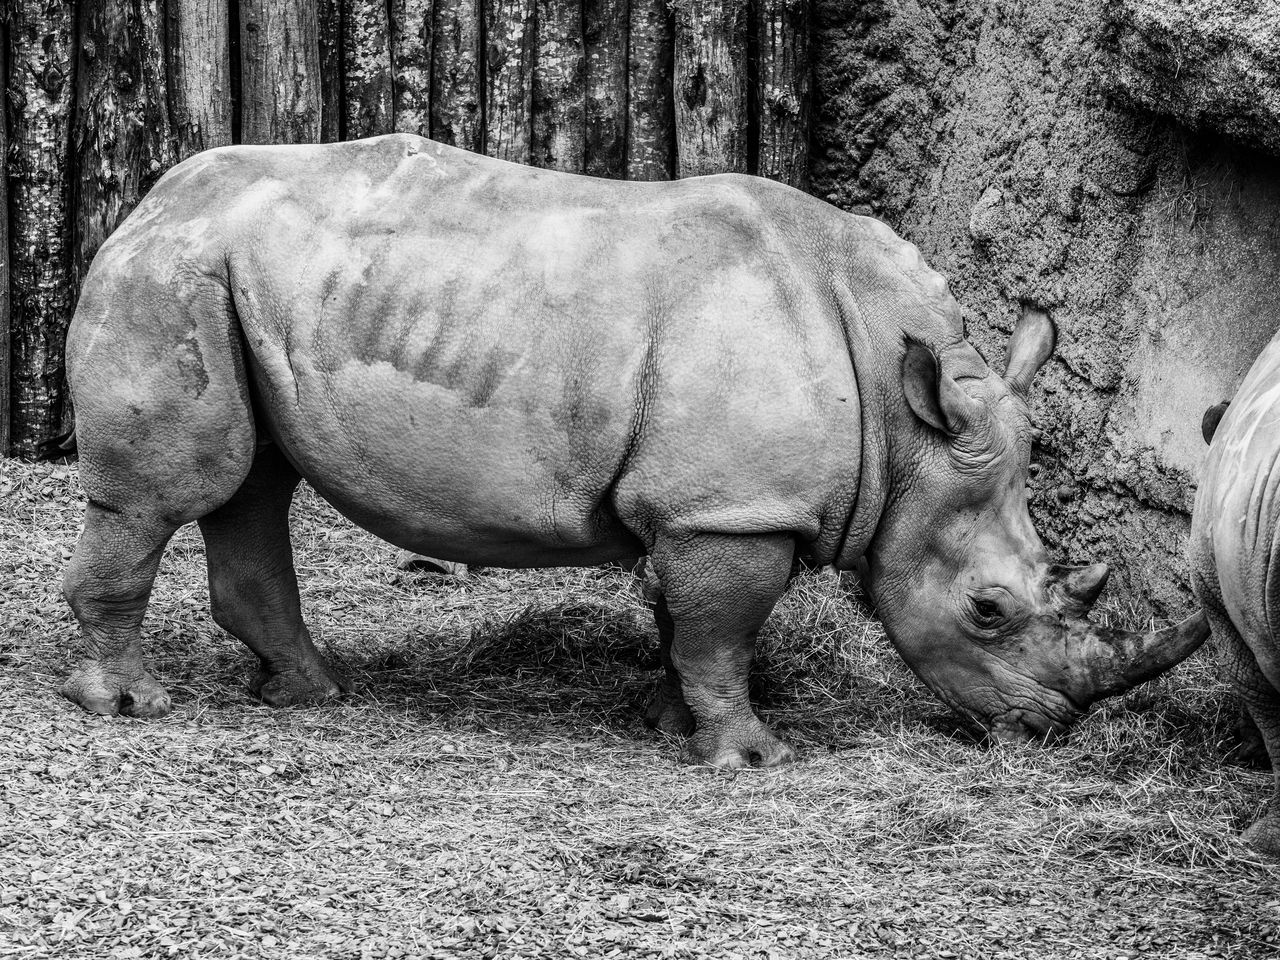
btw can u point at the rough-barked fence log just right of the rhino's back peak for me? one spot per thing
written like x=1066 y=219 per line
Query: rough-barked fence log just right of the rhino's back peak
x=456 y=97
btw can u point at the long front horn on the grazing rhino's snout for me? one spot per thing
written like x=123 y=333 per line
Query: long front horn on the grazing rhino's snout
x=1119 y=660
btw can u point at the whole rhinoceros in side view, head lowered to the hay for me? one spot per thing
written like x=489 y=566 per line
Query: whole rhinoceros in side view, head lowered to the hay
x=502 y=365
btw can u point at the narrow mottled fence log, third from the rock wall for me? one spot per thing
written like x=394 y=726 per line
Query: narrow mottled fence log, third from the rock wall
x=651 y=131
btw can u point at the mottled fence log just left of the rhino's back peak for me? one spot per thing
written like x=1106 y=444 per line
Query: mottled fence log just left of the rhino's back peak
x=367 y=68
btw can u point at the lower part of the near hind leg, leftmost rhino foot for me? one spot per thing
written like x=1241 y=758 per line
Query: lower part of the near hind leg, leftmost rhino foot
x=108 y=586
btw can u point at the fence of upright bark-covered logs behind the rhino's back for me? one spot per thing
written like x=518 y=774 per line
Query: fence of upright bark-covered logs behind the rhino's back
x=103 y=98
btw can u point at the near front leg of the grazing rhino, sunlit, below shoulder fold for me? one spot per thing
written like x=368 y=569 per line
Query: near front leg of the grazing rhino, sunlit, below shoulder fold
x=719 y=591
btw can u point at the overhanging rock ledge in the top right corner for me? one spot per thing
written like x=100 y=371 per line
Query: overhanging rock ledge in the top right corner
x=1212 y=65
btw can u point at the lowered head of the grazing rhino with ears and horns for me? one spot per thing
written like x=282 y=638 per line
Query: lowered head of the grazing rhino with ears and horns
x=959 y=574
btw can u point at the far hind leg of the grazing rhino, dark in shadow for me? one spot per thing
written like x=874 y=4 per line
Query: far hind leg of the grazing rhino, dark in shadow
x=254 y=589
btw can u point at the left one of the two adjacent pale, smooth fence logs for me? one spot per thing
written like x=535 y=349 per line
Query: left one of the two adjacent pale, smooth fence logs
x=200 y=71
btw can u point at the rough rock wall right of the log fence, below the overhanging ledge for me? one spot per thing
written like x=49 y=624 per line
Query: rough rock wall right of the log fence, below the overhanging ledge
x=999 y=138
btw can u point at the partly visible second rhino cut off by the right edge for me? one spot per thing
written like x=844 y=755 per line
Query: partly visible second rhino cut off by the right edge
x=1236 y=557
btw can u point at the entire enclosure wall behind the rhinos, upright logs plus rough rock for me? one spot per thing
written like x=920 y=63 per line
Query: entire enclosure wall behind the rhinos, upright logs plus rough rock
x=1014 y=144
